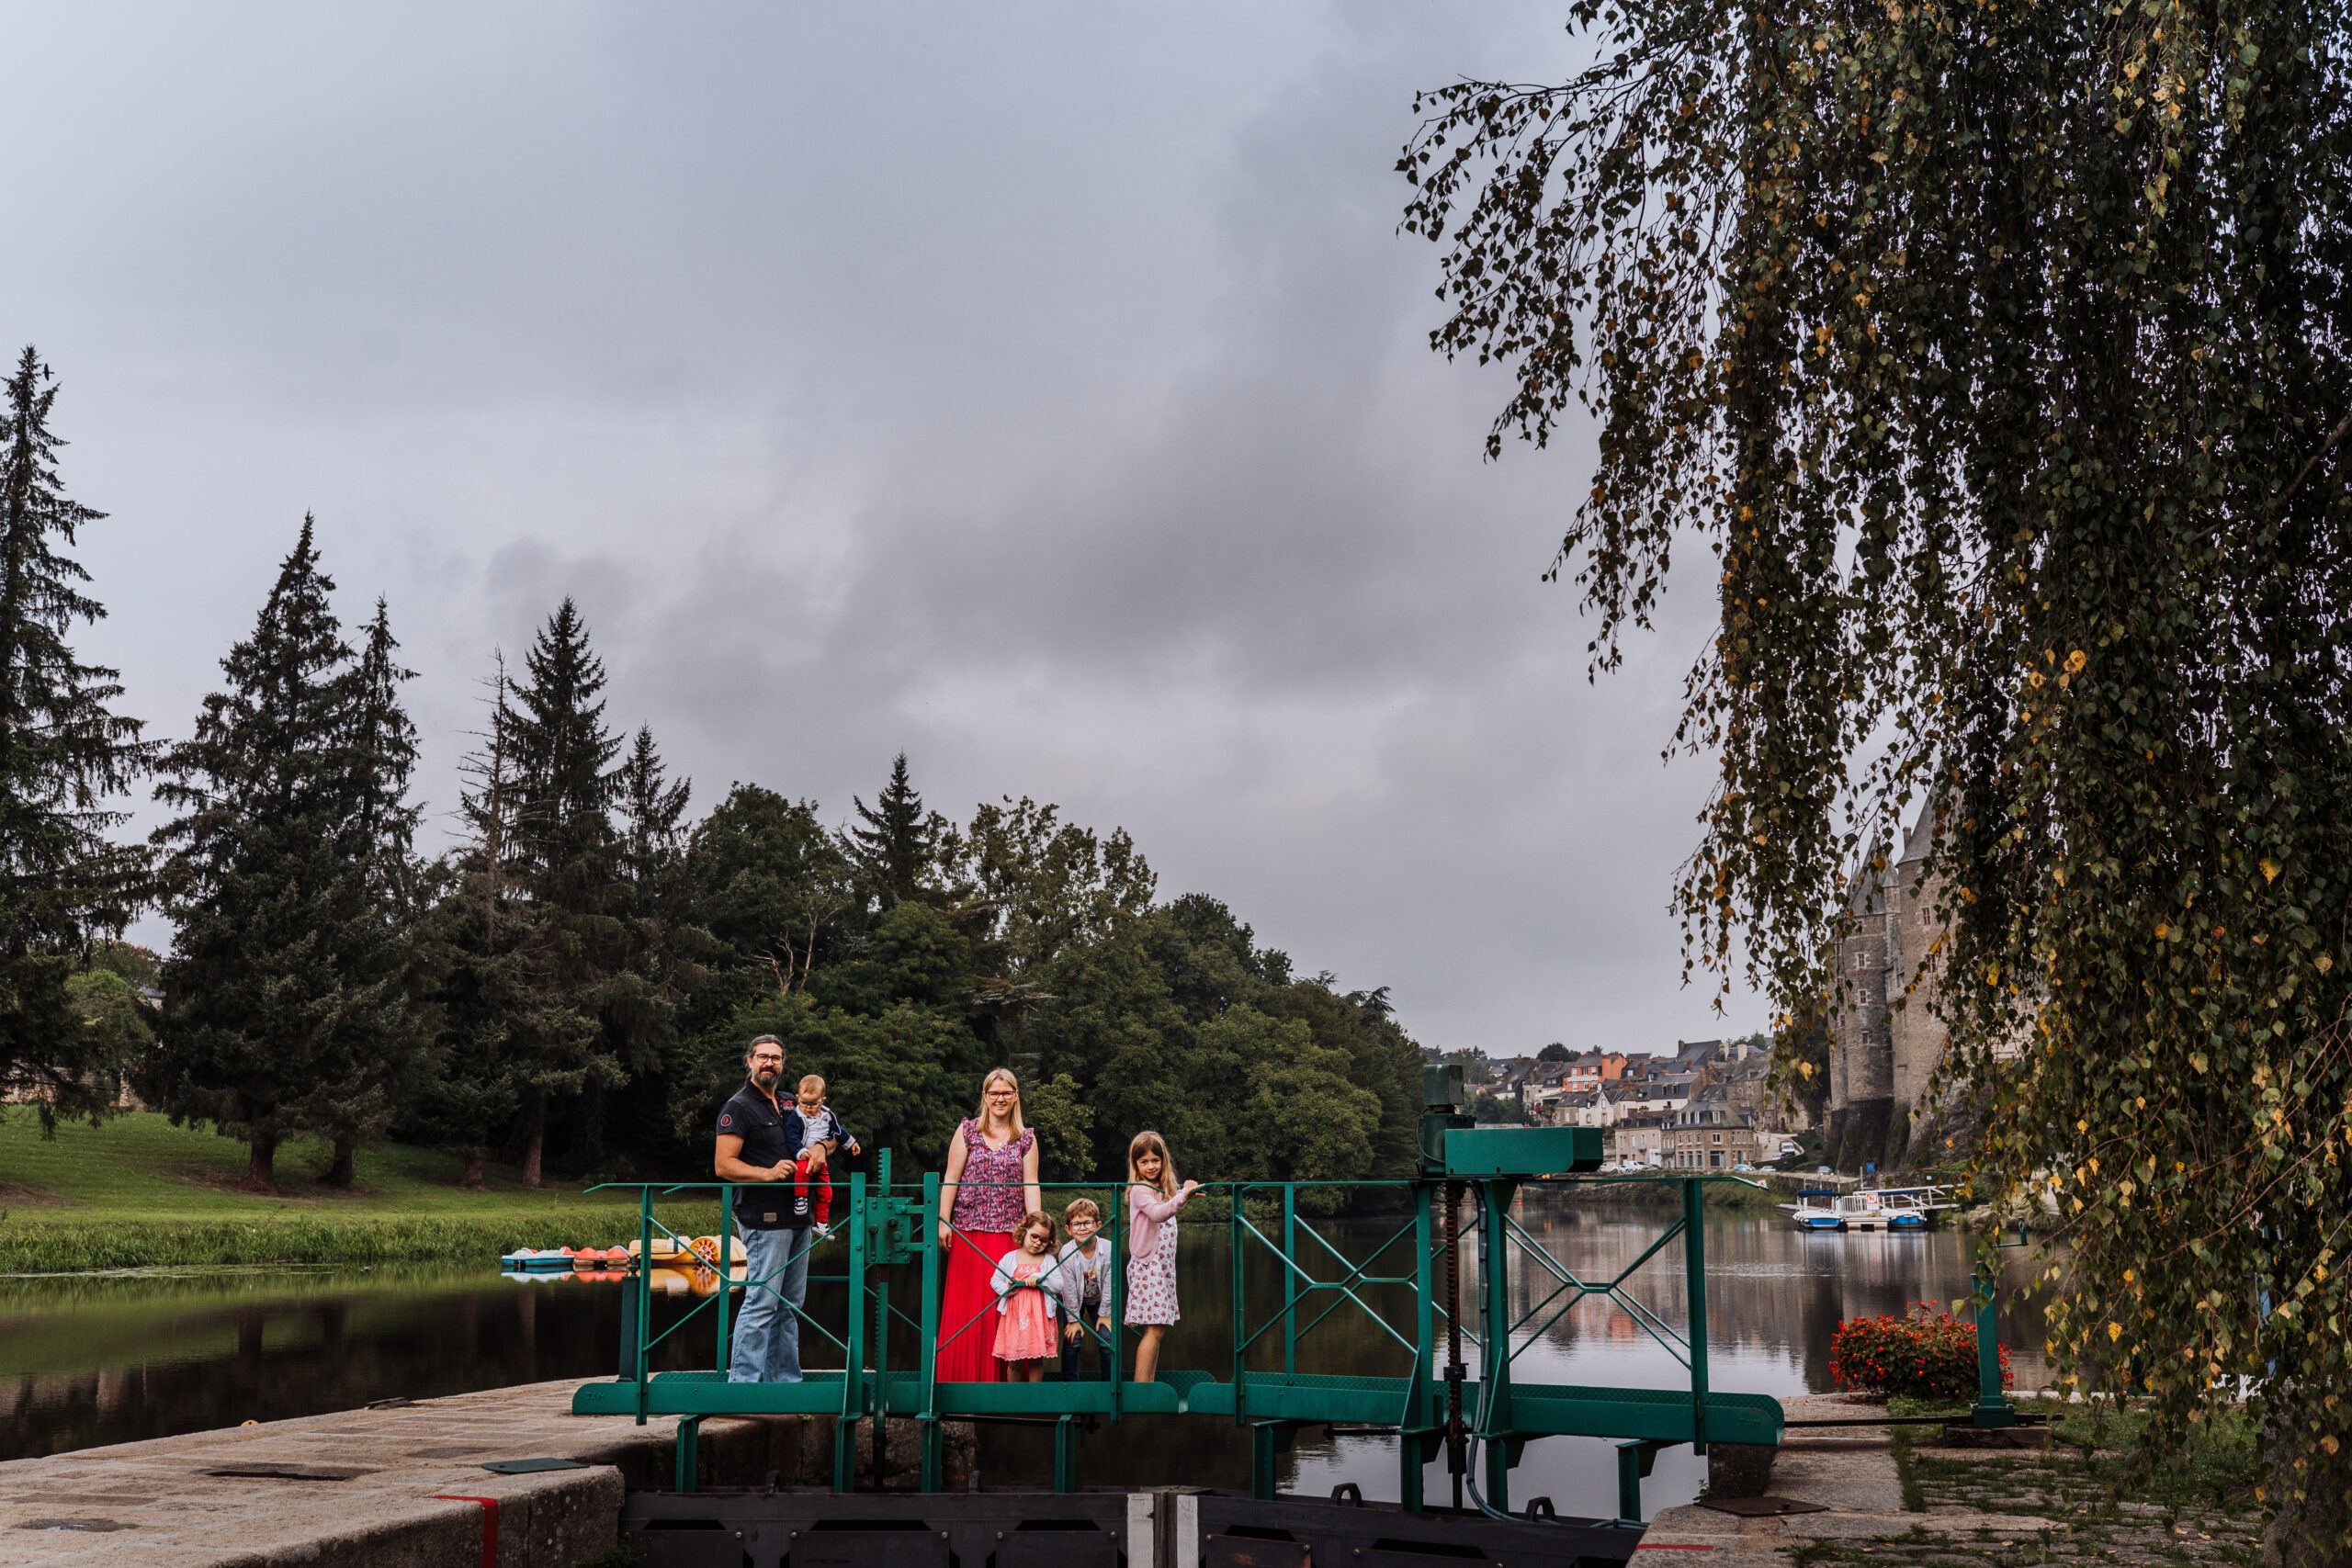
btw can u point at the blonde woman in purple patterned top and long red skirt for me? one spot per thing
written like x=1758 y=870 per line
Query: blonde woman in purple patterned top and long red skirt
x=991 y=1184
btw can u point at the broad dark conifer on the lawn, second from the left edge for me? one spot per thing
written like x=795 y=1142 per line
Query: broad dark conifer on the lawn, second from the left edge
x=288 y=981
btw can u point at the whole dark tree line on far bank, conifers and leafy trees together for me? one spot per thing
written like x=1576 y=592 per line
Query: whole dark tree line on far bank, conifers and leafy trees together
x=570 y=986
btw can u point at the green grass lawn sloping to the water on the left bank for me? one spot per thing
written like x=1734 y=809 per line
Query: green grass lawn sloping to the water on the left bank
x=140 y=1193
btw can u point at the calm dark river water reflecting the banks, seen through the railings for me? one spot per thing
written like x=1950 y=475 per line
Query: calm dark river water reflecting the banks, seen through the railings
x=114 y=1358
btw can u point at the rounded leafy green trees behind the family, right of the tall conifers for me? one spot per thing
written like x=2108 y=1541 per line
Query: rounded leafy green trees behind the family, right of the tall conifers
x=1027 y=942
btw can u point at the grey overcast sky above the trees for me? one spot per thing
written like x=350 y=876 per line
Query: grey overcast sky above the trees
x=1038 y=389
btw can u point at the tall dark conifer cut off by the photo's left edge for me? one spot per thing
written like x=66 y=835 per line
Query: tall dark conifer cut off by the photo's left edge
x=62 y=756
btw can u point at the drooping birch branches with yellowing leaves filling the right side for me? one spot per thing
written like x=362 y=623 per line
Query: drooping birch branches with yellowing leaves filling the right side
x=2005 y=359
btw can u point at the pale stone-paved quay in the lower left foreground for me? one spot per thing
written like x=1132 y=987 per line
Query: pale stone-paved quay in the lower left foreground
x=152 y=1506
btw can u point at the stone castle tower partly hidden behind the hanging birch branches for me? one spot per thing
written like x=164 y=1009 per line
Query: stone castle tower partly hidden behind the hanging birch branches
x=1887 y=1040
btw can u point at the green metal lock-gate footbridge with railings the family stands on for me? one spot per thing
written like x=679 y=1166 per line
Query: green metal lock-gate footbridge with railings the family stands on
x=1434 y=1405
